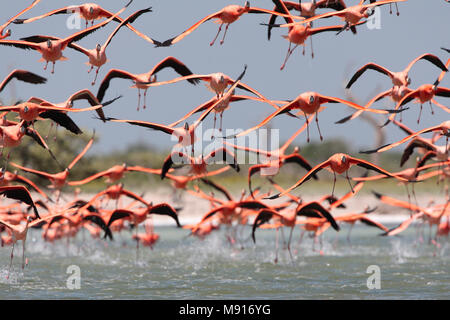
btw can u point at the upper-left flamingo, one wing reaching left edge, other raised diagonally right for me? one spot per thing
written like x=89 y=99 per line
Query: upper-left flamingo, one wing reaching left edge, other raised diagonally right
x=52 y=50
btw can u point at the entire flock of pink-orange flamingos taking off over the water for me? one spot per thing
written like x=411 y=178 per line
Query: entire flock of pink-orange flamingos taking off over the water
x=62 y=220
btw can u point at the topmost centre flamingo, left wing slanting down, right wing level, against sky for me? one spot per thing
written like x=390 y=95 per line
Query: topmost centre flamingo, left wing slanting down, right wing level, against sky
x=227 y=15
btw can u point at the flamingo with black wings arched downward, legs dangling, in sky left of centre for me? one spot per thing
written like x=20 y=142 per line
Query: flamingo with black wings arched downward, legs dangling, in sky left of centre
x=141 y=80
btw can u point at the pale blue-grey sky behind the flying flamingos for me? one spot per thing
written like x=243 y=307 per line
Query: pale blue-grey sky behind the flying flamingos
x=420 y=28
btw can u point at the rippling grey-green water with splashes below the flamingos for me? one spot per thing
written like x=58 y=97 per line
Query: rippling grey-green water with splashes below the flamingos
x=181 y=267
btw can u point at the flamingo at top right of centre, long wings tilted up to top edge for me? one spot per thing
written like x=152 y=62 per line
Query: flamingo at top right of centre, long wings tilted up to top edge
x=351 y=15
